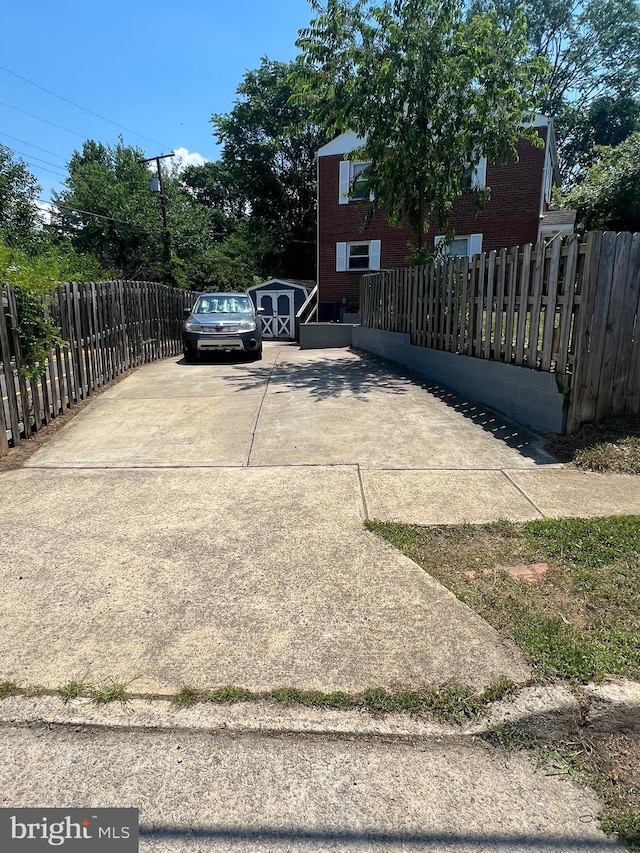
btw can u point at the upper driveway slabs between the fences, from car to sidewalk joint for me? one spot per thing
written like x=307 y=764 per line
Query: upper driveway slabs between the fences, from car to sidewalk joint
x=318 y=407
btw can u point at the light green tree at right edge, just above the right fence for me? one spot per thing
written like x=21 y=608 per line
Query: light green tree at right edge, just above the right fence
x=609 y=197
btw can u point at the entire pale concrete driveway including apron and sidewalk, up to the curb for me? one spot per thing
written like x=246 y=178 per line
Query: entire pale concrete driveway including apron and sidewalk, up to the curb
x=202 y=525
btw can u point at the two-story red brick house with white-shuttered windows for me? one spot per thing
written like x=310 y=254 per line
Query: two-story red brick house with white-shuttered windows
x=520 y=195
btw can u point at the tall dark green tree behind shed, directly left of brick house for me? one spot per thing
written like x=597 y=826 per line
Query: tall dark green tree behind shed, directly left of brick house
x=269 y=145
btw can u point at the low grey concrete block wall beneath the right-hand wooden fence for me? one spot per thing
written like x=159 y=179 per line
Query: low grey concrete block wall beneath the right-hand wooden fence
x=530 y=397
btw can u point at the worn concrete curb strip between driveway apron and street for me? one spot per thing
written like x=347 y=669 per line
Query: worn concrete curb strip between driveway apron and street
x=544 y=712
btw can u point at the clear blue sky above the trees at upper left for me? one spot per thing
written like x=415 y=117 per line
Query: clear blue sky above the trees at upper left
x=159 y=69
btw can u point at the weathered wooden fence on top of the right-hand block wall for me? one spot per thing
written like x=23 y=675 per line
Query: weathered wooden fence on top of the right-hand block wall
x=564 y=306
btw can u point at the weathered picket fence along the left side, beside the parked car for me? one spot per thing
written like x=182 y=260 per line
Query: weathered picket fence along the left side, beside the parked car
x=107 y=327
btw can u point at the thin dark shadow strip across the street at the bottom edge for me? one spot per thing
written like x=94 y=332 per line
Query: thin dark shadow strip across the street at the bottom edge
x=233 y=835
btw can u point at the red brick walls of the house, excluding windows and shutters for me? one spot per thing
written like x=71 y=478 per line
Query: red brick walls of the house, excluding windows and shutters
x=510 y=218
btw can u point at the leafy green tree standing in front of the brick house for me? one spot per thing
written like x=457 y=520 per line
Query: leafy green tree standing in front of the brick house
x=429 y=90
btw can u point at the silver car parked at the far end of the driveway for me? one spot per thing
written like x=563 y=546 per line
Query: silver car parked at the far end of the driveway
x=222 y=322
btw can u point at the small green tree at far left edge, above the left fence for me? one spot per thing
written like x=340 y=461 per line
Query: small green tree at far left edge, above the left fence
x=19 y=221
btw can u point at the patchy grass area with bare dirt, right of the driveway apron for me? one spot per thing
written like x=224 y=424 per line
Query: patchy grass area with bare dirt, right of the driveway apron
x=579 y=621
